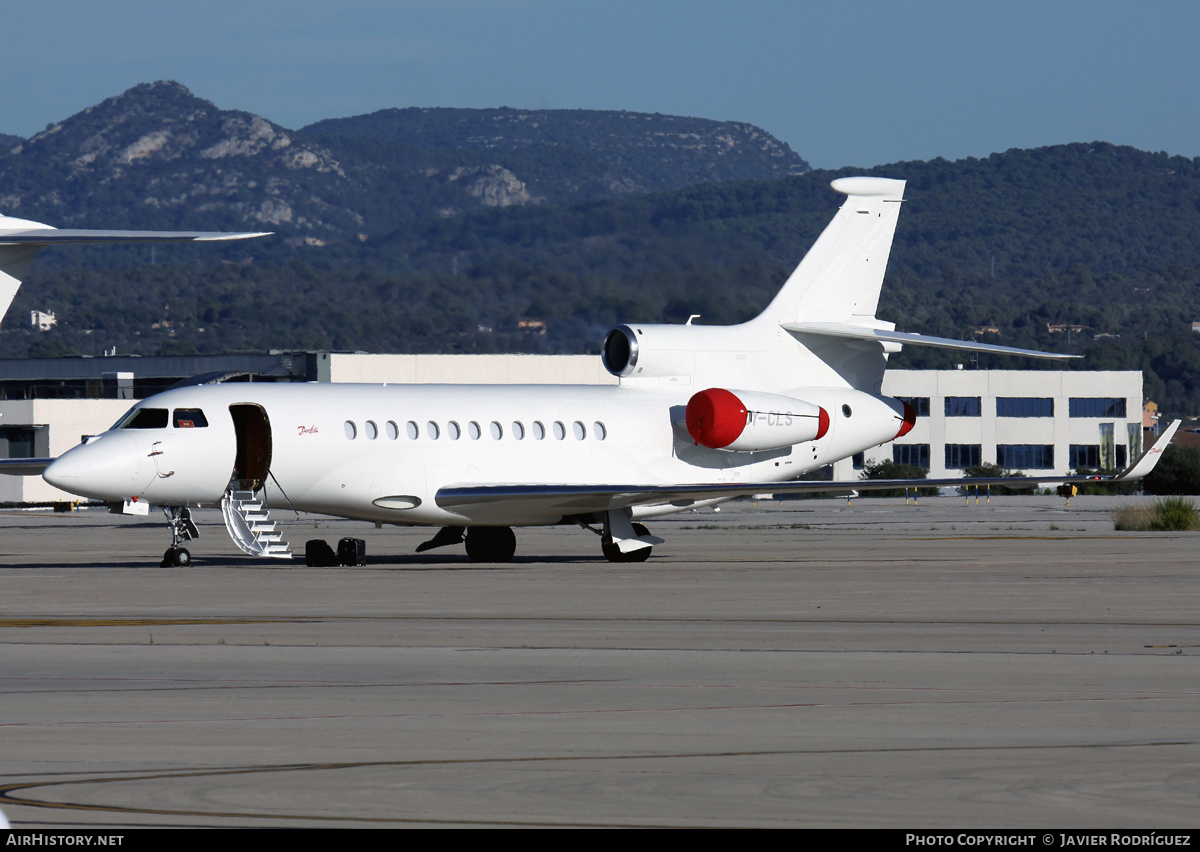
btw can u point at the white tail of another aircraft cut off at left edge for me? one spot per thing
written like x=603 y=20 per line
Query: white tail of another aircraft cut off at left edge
x=22 y=239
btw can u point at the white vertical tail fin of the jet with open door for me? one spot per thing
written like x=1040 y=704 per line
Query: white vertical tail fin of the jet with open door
x=839 y=280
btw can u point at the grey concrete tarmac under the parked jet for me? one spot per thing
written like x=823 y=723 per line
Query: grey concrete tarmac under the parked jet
x=801 y=664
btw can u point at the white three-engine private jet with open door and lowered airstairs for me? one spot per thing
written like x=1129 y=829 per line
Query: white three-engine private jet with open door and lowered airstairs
x=701 y=415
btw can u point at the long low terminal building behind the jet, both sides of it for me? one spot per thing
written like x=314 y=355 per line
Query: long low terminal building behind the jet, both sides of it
x=1037 y=422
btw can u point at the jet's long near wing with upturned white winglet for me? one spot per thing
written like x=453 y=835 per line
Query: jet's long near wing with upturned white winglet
x=592 y=499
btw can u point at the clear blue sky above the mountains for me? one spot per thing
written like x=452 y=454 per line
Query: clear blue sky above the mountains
x=844 y=83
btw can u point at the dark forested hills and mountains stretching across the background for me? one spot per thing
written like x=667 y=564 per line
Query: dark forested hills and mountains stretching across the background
x=1095 y=238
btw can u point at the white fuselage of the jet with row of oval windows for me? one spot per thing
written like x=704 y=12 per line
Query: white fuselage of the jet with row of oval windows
x=381 y=453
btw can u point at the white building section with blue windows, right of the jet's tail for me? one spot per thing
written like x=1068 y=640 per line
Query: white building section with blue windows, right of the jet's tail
x=1037 y=422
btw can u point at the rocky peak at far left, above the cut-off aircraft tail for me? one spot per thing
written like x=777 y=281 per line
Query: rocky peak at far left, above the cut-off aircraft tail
x=161 y=148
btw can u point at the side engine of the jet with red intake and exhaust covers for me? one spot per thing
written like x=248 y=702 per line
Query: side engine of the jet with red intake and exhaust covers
x=749 y=421
